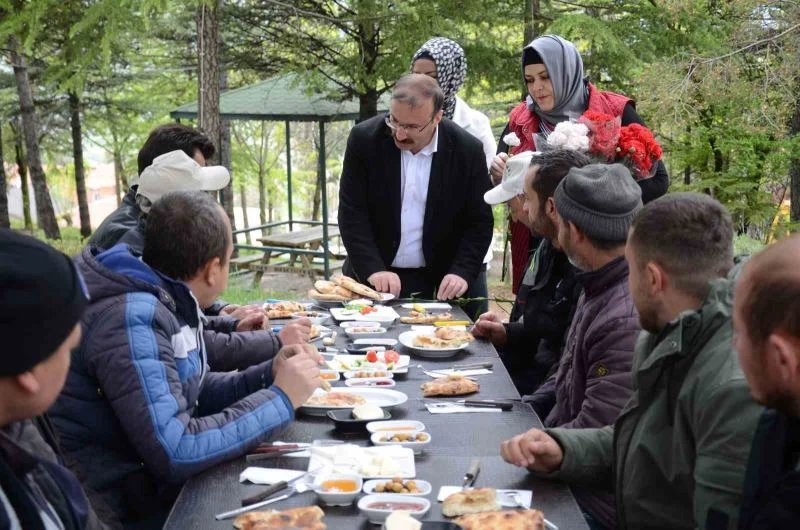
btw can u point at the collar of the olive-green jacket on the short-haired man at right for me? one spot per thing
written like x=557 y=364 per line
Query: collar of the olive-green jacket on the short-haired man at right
x=691 y=329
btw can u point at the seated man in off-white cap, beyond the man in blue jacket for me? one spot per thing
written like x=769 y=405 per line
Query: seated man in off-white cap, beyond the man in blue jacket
x=236 y=342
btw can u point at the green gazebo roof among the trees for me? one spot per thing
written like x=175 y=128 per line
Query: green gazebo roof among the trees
x=280 y=98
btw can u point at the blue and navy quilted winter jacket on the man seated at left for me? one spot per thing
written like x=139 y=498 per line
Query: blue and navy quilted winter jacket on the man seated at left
x=140 y=411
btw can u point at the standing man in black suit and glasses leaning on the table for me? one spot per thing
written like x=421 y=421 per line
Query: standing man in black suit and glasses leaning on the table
x=411 y=209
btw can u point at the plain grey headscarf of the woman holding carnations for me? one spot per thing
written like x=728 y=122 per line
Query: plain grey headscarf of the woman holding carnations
x=565 y=69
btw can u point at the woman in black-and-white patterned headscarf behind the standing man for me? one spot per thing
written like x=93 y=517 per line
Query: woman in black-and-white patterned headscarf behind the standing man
x=444 y=60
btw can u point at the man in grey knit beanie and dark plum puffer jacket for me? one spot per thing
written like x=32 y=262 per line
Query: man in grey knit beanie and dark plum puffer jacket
x=595 y=206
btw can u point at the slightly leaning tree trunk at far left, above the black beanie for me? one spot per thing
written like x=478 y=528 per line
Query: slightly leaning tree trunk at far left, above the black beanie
x=44 y=205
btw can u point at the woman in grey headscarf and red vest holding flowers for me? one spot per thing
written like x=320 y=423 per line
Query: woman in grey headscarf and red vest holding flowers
x=552 y=70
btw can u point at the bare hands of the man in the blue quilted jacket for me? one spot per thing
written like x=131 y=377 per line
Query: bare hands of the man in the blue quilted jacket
x=296 y=372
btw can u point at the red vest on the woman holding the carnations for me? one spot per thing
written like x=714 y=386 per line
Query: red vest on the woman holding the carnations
x=525 y=124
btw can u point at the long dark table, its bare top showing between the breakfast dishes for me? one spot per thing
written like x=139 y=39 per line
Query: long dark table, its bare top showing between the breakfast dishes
x=455 y=440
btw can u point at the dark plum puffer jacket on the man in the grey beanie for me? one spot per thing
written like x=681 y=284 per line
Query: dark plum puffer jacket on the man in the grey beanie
x=594 y=378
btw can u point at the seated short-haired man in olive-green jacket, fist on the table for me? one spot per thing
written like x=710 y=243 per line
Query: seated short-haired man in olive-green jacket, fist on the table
x=678 y=452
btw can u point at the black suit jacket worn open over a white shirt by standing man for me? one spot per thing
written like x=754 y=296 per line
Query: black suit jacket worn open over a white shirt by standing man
x=458 y=224
